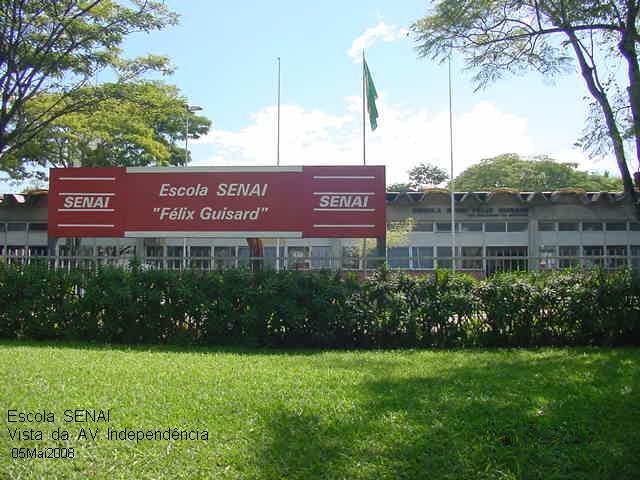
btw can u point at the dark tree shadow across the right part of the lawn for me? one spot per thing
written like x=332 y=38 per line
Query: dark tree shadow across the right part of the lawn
x=564 y=415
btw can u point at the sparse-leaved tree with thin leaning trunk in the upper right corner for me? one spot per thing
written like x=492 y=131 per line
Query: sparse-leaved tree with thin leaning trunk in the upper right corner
x=500 y=36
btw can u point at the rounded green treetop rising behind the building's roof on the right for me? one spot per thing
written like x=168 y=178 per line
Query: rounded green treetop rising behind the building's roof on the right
x=531 y=175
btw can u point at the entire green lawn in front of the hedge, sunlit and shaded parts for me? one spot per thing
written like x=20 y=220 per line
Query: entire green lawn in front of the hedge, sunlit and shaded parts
x=502 y=414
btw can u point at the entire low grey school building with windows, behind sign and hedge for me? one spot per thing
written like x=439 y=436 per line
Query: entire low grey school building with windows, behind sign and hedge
x=501 y=230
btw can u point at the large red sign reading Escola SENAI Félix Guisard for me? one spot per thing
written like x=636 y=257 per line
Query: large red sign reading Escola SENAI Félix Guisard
x=265 y=202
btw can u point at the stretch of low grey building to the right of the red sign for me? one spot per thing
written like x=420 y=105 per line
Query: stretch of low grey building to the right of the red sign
x=507 y=230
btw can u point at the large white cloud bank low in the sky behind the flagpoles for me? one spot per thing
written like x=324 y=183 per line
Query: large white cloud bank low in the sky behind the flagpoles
x=405 y=137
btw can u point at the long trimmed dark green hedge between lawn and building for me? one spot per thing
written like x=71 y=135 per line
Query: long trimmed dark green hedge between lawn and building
x=298 y=309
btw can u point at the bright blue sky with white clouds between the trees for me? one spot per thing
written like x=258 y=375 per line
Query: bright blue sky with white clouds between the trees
x=225 y=58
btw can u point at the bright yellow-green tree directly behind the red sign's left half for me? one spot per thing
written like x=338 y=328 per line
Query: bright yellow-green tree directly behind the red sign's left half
x=137 y=124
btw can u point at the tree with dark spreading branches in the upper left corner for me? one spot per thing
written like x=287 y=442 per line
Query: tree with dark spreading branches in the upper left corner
x=55 y=47
